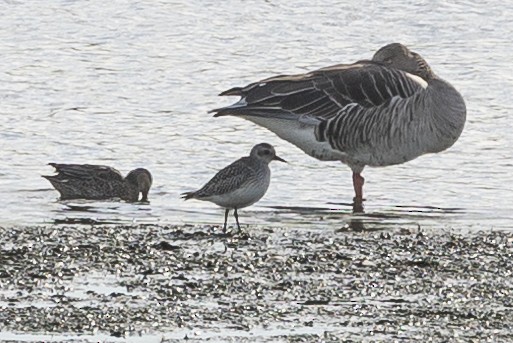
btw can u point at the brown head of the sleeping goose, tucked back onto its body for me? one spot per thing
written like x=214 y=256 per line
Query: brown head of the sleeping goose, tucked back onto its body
x=398 y=56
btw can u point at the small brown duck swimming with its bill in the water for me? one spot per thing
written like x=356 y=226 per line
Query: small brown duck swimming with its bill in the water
x=97 y=182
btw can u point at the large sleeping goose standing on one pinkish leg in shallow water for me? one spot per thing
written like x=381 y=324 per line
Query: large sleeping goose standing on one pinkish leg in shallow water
x=381 y=112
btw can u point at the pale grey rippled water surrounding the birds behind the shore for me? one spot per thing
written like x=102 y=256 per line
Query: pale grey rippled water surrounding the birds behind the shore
x=129 y=84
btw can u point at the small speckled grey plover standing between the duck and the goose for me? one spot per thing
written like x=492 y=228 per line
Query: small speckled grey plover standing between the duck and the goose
x=240 y=184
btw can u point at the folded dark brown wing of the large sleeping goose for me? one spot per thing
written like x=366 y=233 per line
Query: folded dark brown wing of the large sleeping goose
x=323 y=93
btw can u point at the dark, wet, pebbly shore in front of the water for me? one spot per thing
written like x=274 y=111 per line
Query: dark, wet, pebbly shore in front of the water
x=166 y=284
